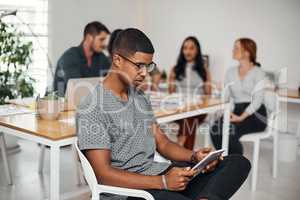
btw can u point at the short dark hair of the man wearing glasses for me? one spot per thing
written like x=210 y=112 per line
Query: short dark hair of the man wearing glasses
x=130 y=41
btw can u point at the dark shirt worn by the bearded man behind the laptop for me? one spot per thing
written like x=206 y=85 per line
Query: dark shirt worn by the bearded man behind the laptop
x=73 y=64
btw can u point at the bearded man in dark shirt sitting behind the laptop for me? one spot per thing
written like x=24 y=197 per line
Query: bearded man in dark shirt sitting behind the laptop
x=85 y=60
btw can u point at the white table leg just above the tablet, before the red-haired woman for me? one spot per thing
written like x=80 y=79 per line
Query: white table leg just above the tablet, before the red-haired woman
x=226 y=127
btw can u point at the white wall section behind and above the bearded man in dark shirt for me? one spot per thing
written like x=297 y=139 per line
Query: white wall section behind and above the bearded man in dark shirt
x=67 y=19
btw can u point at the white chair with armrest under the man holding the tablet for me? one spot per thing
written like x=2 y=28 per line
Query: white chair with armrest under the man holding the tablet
x=97 y=189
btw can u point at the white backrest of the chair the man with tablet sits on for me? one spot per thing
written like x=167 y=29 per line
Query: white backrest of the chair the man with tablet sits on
x=87 y=168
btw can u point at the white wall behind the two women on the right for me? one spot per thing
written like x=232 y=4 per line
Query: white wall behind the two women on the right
x=273 y=24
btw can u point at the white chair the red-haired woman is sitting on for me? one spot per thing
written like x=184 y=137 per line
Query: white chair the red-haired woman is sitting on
x=272 y=103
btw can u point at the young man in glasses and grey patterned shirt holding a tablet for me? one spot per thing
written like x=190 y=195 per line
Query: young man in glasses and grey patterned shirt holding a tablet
x=119 y=135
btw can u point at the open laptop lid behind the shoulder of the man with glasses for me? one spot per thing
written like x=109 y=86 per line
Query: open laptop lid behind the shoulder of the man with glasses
x=78 y=88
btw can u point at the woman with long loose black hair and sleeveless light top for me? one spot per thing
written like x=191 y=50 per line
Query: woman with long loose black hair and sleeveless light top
x=190 y=76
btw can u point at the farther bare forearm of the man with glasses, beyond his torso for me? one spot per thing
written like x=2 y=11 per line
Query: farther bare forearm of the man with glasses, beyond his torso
x=169 y=149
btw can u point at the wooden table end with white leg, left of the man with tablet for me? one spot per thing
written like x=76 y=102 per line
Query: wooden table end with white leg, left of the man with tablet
x=54 y=134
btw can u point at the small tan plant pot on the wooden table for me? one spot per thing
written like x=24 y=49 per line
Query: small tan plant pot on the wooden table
x=49 y=109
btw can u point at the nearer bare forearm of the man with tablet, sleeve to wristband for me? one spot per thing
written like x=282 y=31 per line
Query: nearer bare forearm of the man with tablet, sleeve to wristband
x=108 y=175
